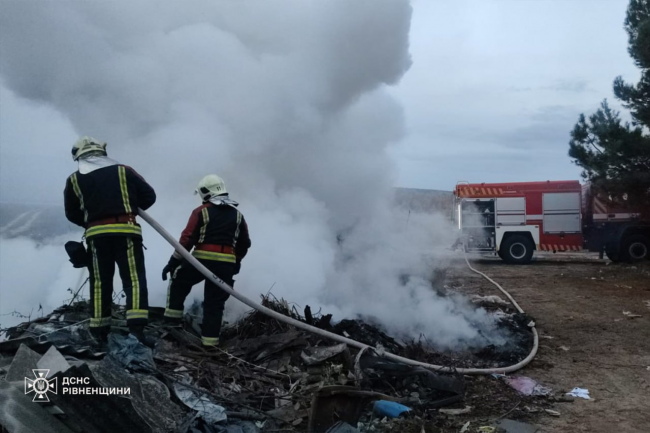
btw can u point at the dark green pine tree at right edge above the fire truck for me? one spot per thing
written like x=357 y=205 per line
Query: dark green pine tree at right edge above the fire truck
x=615 y=155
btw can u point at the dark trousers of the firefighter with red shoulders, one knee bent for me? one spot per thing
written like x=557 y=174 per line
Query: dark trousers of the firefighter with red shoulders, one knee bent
x=214 y=299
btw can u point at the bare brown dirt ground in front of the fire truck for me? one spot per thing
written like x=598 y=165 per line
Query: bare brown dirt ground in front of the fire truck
x=586 y=341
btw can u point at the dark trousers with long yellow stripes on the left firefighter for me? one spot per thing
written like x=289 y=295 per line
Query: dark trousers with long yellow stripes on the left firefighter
x=104 y=253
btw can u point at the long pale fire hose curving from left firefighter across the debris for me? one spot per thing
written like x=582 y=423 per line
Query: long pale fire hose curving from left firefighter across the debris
x=330 y=335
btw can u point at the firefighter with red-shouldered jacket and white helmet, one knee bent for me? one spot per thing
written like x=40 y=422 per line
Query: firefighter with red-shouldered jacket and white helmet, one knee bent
x=219 y=235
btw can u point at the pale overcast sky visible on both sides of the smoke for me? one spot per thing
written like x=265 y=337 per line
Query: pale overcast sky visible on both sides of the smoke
x=493 y=92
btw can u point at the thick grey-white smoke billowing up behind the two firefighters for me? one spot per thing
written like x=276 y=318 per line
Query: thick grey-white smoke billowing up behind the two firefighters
x=287 y=102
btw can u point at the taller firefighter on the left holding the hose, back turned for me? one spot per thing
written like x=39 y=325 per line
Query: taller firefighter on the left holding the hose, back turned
x=103 y=197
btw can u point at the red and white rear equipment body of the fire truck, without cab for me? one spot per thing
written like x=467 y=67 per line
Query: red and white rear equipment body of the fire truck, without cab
x=515 y=219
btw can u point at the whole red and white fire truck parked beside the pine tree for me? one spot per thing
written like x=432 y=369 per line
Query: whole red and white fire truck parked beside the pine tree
x=514 y=219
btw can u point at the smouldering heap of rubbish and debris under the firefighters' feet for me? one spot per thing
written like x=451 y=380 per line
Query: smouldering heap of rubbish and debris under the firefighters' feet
x=267 y=376
